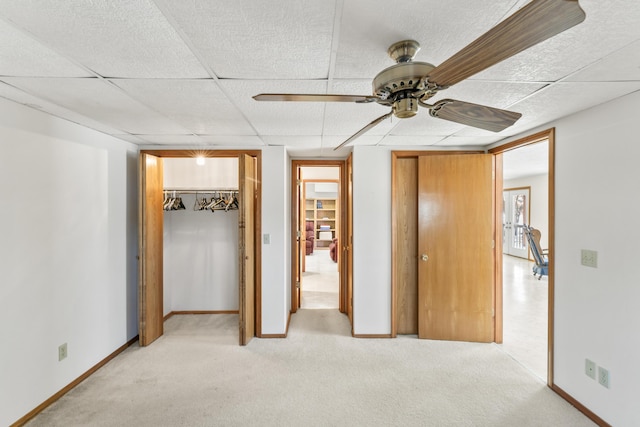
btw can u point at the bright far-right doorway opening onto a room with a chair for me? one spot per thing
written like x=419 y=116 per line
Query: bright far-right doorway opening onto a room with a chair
x=527 y=318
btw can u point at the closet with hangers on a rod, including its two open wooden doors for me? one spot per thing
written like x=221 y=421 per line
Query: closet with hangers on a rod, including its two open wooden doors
x=198 y=231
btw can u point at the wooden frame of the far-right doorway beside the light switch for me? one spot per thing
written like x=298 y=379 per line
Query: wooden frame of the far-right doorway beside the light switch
x=549 y=136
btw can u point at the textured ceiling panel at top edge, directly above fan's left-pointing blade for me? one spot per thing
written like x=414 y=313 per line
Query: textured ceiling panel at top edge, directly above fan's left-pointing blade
x=271 y=39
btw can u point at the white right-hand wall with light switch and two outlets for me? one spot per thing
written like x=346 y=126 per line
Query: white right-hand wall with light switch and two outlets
x=597 y=207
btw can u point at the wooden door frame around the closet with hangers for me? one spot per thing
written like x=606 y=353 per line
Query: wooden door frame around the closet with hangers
x=181 y=153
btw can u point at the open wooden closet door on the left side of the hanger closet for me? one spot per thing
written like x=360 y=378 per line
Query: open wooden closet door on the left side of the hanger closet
x=150 y=250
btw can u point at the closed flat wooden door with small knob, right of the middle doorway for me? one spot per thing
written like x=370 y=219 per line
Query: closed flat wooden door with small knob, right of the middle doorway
x=455 y=224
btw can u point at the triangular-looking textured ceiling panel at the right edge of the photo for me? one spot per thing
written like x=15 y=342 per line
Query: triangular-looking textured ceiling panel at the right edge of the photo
x=621 y=65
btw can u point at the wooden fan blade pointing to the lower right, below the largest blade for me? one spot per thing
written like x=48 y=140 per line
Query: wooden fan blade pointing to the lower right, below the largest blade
x=479 y=116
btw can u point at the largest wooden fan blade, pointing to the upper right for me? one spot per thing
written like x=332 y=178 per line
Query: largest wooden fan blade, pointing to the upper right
x=533 y=23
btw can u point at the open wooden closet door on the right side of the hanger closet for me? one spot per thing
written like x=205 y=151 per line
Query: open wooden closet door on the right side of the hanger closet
x=246 y=257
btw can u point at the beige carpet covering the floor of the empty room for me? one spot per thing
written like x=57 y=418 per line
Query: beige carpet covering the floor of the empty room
x=197 y=375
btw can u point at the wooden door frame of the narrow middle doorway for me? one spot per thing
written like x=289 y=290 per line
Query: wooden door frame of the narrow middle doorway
x=344 y=273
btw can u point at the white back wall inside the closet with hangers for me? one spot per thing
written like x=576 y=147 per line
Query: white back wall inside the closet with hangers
x=200 y=247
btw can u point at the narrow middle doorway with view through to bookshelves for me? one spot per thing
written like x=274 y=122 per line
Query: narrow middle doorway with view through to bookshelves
x=320 y=230
